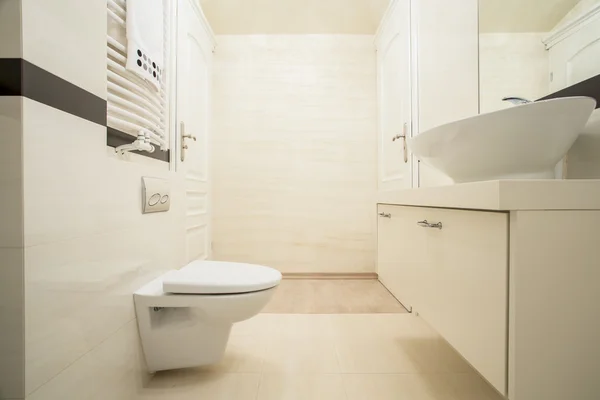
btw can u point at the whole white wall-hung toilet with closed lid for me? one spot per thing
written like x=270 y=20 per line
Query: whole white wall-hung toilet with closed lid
x=185 y=316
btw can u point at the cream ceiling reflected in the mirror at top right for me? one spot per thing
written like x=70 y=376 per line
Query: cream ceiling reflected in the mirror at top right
x=522 y=15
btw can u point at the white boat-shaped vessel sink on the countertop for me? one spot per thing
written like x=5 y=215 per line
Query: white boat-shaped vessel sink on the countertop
x=521 y=142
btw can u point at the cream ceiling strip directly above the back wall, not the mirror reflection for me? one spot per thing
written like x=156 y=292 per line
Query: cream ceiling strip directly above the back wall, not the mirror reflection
x=294 y=16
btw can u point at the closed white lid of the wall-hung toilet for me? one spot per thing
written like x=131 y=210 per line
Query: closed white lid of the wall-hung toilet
x=218 y=277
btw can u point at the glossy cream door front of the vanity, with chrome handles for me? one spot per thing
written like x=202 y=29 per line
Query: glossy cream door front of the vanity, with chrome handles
x=451 y=266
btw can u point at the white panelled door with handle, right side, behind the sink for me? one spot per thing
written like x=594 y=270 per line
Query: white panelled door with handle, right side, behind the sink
x=394 y=98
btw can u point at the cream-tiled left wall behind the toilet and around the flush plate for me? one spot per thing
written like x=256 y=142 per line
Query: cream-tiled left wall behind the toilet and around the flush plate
x=84 y=245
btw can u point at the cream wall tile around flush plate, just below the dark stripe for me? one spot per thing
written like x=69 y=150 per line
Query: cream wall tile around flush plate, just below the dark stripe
x=73 y=188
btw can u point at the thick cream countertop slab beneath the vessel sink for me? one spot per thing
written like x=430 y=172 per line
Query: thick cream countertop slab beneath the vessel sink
x=503 y=195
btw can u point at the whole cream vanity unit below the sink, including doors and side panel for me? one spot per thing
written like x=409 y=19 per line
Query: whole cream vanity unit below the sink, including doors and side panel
x=513 y=288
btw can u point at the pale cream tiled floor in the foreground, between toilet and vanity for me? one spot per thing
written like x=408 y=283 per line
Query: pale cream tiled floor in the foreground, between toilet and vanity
x=328 y=357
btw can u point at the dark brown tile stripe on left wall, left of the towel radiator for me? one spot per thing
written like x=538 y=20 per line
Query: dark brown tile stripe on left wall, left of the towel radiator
x=19 y=77
